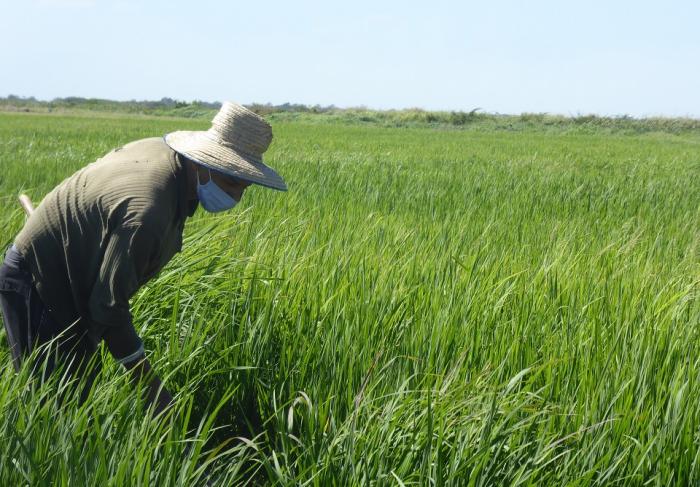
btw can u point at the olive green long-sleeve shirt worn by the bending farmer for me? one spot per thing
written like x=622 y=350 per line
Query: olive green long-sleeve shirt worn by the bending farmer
x=104 y=232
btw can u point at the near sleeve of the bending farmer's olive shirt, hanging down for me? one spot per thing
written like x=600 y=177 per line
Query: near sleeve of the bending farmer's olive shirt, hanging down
x=129 y=254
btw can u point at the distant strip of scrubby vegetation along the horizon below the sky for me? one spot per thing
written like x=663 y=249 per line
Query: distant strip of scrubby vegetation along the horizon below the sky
x=473 y=120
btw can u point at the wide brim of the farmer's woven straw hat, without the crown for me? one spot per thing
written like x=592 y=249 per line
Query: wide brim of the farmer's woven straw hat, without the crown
x=203 y=149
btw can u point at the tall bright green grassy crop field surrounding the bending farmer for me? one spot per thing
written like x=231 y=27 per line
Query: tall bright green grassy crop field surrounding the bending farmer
x=424 y=307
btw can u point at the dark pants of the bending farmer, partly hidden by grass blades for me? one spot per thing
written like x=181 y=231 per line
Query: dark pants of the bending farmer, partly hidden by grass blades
x=30 y=327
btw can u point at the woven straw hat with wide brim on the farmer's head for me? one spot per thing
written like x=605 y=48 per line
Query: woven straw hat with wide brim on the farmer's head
x=233 y=145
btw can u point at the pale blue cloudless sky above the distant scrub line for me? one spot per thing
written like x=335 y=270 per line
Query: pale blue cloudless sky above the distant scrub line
x=637 y=57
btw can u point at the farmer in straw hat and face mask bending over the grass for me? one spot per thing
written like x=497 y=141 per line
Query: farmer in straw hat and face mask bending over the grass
x=109 y=228
